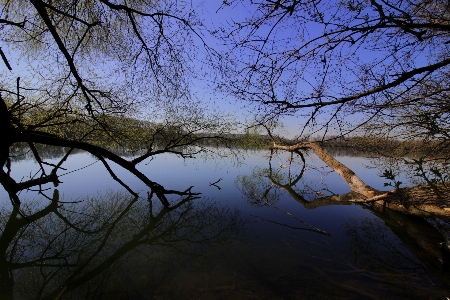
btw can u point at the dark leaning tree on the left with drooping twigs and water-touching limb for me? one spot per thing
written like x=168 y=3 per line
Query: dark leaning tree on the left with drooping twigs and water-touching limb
x=99 y=75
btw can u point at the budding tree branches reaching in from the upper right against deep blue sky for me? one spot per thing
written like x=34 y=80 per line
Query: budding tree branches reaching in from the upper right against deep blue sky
x=376 y=67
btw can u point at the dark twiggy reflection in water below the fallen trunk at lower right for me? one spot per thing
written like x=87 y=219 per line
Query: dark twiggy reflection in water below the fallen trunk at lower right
x=403 y=256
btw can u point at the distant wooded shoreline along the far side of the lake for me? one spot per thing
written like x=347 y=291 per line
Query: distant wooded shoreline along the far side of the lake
x=128 y=136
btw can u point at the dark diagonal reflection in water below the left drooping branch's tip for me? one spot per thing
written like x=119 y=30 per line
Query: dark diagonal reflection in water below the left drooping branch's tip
x=154 y=232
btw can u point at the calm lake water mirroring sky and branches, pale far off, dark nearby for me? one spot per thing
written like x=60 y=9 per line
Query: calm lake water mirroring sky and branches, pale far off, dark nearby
x=261 y=232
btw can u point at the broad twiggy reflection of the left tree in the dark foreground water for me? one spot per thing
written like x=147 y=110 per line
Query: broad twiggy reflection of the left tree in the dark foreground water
x=112 y=247
